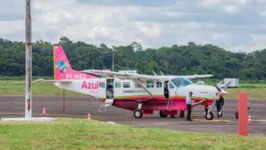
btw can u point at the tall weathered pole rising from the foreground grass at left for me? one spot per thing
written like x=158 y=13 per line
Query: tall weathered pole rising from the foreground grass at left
x=28 y=69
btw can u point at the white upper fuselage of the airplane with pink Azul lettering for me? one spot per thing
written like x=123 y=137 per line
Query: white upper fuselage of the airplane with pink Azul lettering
x=130 y=89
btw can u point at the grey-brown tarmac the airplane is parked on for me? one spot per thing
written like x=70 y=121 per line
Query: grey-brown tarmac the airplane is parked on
x=79 y=107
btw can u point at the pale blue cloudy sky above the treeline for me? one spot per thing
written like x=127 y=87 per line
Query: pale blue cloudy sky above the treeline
x=235 y=25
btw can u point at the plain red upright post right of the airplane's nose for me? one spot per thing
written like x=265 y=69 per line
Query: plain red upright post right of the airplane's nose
x=242 y=114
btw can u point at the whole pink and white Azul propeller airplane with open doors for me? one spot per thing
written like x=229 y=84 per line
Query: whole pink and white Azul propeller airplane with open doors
x=139 y=93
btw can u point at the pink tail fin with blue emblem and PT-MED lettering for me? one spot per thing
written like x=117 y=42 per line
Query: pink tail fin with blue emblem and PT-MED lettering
x=62 y=67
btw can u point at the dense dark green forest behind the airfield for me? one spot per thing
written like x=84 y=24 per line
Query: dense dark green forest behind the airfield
x=175 y=60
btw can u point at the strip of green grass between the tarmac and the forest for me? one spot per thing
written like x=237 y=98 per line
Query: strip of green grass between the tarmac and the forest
x=17 y=88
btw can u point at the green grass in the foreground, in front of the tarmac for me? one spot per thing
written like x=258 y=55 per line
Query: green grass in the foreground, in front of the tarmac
x=67 y=133
